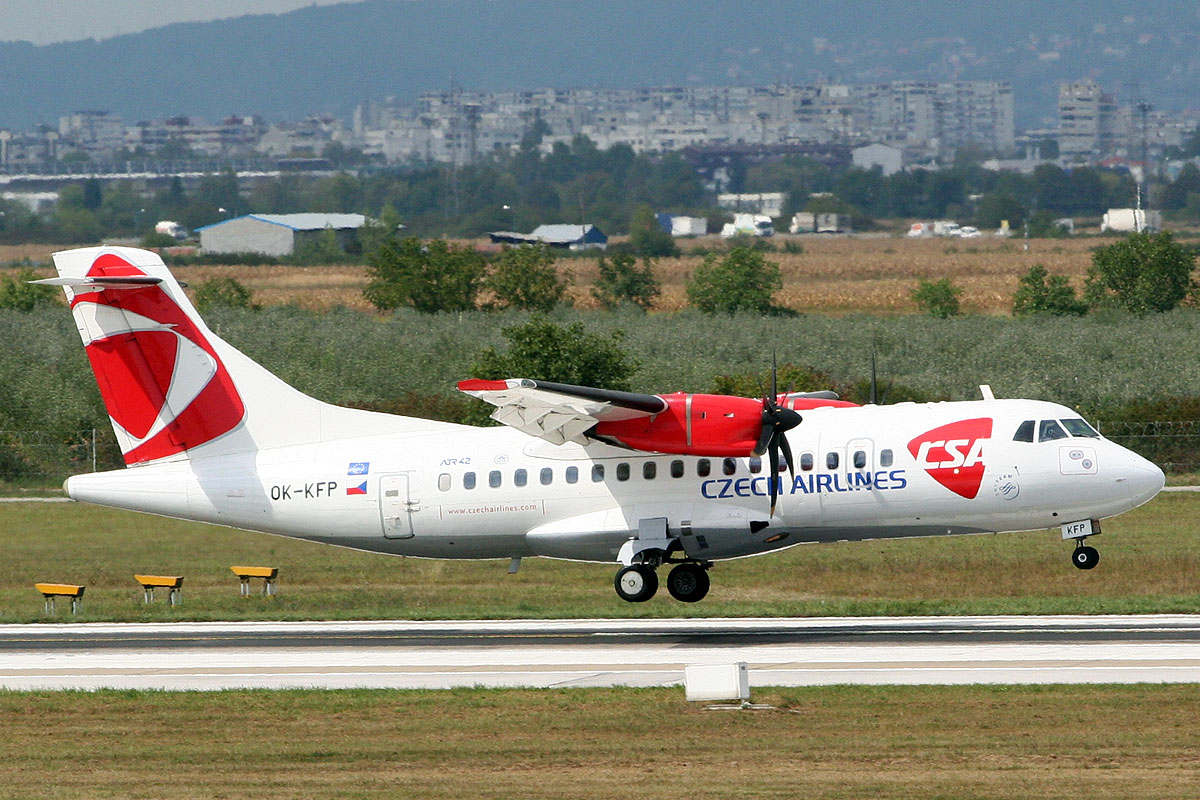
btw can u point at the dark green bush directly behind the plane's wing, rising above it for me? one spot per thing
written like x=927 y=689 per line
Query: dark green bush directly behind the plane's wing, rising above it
x=567 y=354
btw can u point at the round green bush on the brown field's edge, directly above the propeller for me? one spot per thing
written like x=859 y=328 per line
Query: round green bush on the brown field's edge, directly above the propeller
x=742 y=281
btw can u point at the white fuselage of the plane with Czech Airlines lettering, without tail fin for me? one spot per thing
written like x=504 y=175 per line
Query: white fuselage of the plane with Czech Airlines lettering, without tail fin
x=463 y=492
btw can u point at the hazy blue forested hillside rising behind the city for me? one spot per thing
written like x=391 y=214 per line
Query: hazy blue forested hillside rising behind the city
x=332 y=58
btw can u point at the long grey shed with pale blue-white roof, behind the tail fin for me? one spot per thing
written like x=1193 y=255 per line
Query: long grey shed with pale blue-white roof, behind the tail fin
x=277 y=234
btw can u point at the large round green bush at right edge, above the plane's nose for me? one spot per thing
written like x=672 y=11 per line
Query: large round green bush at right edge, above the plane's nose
x=1143 y=273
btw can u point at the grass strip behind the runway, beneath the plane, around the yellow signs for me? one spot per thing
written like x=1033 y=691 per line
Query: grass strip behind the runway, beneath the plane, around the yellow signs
x=1150 y=563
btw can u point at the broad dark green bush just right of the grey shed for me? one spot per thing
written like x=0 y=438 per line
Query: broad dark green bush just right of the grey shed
x=430 y=278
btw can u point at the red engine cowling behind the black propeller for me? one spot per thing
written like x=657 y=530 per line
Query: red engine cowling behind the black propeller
x=693 y=425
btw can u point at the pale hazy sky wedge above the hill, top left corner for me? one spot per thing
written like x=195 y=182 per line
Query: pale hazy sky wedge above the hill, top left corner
x=44 y=22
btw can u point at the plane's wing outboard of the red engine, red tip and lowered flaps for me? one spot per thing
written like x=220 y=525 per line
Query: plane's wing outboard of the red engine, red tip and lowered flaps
x=559 y=413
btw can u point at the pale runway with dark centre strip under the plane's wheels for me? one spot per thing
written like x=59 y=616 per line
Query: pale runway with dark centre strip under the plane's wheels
x=601 y=653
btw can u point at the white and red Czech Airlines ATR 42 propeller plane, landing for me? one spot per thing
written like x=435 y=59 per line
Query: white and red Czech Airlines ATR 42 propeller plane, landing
x=639 y=482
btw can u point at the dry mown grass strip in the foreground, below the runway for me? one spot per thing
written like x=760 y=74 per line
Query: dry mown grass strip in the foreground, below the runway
x=844 y=743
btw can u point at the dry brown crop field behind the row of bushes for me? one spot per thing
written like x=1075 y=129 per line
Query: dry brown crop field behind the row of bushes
x=832 y=275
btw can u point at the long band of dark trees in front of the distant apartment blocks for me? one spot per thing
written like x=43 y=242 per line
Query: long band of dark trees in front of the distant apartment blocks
x=580 y=183
